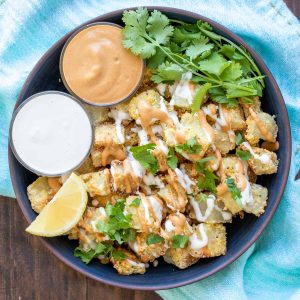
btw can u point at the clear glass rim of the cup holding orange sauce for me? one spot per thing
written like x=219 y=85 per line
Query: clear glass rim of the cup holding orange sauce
x=65 y=82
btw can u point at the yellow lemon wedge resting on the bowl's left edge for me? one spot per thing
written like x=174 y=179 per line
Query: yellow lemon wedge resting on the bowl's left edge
x=63 y=212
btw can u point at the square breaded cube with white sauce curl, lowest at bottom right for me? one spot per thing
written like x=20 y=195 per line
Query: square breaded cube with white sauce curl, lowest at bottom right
x=208 y=240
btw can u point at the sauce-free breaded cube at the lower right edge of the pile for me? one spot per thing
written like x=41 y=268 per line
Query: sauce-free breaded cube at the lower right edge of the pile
x=260 y=197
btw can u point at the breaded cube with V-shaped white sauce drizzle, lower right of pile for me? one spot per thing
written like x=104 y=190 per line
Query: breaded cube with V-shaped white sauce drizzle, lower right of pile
x=205 y=208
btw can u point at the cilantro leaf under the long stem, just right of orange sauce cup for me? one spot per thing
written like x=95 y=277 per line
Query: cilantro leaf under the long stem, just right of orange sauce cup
x=167 y=72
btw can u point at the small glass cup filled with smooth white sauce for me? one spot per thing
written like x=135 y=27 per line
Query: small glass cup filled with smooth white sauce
x=51 y=133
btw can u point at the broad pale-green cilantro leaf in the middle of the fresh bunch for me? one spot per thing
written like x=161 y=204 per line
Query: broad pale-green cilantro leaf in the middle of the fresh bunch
x=215 y=64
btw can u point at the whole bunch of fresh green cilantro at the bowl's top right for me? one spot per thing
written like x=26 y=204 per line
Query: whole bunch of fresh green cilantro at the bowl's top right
x=225 y=70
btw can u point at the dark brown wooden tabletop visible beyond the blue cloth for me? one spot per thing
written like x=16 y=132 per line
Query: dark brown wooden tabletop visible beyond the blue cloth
x=29 y=271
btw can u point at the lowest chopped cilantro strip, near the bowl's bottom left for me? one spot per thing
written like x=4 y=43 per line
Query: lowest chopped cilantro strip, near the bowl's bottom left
x=102 y=249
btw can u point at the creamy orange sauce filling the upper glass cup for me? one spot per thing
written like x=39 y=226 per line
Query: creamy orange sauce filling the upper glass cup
x=97 y=68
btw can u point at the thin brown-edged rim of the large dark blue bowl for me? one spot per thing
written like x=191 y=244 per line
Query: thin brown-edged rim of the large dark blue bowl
x=287 y=132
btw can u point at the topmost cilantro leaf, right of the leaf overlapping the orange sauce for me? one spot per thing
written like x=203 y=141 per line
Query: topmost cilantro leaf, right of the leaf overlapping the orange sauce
x=159 y=28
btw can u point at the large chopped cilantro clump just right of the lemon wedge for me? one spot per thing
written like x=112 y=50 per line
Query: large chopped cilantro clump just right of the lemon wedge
x=118 y=226
